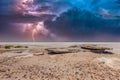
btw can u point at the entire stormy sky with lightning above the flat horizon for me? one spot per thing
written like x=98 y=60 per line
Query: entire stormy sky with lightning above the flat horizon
x=60 y=20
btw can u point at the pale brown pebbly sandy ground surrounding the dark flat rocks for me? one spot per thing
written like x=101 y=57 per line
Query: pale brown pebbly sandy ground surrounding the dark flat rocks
x=34 y=63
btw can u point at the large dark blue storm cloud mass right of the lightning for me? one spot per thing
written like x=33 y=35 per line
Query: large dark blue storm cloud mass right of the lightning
x=84 y=26
